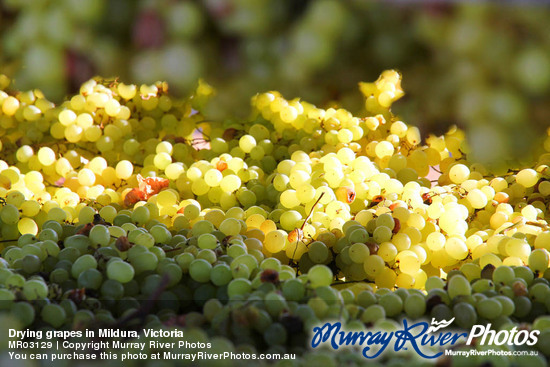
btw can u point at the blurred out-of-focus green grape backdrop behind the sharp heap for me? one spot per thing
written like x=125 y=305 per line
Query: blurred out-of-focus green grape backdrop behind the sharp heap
x=483 y=66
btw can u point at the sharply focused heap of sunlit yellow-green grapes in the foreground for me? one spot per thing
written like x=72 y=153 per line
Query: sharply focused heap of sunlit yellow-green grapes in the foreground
x=126 y=208
